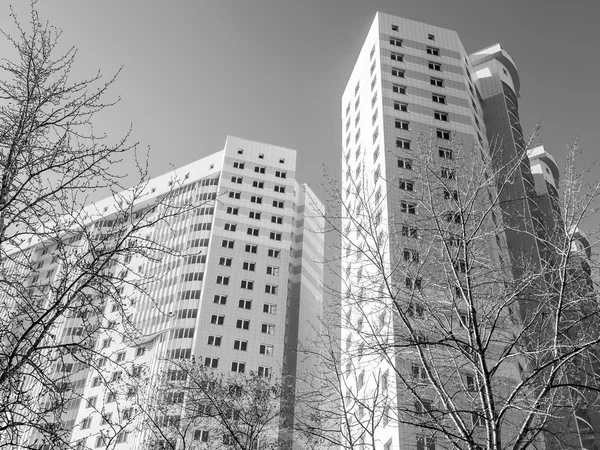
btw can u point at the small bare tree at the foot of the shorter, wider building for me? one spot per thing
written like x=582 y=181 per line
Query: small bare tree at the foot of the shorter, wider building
x=197 y=407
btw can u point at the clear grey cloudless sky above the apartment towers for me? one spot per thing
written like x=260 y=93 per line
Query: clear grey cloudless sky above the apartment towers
x=274 y=70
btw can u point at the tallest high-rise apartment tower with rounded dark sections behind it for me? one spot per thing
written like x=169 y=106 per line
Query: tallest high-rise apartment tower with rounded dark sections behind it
x=413 y=88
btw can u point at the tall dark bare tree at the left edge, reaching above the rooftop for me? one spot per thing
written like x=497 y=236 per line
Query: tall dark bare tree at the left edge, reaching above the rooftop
x=68 y=274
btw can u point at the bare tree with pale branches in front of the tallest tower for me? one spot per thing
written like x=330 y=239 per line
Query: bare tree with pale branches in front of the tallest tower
x=475 y=304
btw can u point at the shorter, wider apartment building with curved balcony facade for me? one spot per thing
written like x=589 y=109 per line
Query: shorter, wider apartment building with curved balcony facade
x=240 y=300
